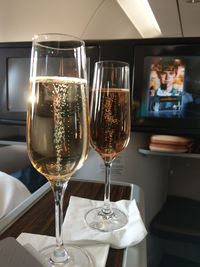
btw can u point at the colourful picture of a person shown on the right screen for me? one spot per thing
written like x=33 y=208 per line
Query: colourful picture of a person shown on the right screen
x=166 y=84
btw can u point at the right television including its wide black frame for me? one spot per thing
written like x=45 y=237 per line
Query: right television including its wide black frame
x=166 y=90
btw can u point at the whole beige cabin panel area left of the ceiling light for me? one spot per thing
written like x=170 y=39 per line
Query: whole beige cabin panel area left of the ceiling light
x=21 y=19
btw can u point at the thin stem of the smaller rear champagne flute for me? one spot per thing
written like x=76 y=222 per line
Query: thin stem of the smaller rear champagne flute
x=107 y=208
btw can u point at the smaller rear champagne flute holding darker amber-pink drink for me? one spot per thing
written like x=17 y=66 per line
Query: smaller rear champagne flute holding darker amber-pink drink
x=110 y=132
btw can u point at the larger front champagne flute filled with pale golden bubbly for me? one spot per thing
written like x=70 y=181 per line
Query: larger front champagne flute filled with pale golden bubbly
x=58 y=126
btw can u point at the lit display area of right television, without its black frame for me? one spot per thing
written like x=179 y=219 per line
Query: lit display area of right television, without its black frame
x=172 y=87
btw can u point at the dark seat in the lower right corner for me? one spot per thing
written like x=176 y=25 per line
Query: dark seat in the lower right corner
x=177 y=226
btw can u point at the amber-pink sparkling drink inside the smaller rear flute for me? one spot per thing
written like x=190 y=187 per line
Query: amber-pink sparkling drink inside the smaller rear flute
x=110 y=121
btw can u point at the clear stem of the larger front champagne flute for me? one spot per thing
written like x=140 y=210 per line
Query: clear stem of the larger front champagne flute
x=59 y=254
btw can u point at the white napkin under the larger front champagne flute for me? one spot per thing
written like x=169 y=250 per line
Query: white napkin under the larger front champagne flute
x=97 y=252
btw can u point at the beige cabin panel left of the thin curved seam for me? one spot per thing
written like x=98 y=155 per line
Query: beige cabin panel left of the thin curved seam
x=21 y=19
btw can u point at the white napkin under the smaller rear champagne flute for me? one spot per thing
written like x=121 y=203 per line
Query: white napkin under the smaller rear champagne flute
x=76 y=229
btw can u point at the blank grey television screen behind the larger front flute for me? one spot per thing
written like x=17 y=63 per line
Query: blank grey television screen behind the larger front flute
x=14 y=79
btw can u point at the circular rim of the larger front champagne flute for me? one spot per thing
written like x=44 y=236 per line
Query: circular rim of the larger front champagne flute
x=38 y=40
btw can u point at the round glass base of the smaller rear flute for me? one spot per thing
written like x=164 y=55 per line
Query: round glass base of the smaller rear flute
x=106 y=222
